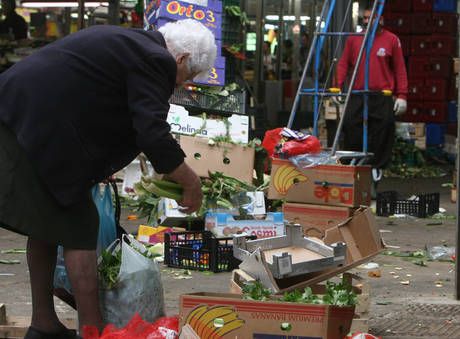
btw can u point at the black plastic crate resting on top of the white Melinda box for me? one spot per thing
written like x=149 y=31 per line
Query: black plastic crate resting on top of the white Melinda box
x=234 y=102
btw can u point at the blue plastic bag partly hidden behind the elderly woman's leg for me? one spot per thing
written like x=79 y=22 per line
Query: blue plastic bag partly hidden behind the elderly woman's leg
x=107 y=233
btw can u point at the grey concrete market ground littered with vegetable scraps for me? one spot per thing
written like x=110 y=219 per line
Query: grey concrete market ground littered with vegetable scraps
x=388 y=295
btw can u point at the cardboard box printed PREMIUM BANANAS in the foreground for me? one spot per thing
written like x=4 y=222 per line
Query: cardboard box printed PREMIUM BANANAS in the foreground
x=227 y=315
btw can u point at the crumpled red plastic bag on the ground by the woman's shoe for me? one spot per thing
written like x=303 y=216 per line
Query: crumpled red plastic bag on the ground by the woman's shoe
x=137 y=328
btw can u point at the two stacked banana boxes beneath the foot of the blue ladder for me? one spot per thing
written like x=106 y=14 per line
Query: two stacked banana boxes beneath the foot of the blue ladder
x=321 y=196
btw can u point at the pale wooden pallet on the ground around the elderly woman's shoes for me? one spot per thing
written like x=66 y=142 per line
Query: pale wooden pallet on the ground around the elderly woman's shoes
x=16 y=327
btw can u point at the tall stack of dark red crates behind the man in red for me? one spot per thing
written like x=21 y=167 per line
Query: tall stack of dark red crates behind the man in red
x=428 y=32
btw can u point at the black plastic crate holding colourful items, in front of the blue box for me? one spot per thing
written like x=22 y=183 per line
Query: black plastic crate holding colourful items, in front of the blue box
x=199 y=250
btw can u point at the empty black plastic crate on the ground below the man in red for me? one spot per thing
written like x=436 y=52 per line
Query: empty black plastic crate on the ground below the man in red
x=422 y=206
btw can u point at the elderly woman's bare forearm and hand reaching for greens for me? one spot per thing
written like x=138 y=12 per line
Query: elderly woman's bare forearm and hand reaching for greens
x=192 y=195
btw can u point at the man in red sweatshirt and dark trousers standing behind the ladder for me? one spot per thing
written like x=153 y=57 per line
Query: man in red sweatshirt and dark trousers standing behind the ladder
x=387 y=71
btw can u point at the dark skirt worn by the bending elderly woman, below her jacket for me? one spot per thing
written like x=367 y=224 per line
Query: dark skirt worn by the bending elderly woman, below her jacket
x=28 y=208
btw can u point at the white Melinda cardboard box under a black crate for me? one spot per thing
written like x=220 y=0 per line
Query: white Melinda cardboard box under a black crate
x=182 y=123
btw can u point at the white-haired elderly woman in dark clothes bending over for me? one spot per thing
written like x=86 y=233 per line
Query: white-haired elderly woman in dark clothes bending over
x=72 y=114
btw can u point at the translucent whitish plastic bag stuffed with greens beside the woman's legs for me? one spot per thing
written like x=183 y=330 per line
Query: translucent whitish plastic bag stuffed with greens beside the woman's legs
x=139 y=288
